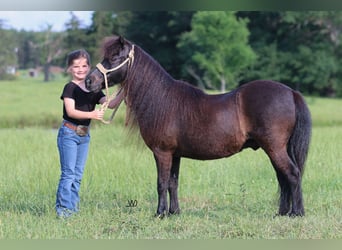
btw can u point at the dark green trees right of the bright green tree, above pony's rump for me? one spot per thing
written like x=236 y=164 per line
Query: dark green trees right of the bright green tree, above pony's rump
x=301 y=49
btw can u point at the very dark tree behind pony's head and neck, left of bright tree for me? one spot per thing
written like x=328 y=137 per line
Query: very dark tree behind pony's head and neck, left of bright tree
x=157 y=32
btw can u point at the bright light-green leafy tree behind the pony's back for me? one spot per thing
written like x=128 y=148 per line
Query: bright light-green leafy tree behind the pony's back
x=218 y=46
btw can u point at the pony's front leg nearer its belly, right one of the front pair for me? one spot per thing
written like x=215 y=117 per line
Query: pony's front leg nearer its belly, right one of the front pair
x=173 y=186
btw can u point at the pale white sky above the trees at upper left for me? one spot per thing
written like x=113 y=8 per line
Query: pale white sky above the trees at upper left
x=39 y=20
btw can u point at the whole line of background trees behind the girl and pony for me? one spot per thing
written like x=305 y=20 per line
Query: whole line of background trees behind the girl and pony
x=211 y=49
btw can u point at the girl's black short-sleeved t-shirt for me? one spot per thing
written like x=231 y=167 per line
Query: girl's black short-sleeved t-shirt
x=84 y=101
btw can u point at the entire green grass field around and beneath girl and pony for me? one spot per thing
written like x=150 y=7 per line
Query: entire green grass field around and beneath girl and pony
x=232 y=198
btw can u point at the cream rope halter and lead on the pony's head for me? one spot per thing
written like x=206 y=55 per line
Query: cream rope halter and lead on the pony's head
x=119 y=94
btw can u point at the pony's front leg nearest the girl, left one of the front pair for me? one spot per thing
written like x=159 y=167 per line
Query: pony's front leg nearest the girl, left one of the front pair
x=163 y=162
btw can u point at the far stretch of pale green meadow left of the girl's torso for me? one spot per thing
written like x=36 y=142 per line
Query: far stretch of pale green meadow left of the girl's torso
x=30 y=102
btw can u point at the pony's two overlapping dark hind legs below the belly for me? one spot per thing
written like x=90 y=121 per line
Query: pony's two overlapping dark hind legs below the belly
x=289 y=178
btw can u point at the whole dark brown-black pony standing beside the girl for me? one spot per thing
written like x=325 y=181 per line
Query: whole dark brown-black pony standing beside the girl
x=178 y=120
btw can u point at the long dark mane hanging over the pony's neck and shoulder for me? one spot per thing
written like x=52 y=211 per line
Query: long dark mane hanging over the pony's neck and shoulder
x=157 y=93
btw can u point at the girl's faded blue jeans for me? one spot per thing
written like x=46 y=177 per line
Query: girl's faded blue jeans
x=73 y=152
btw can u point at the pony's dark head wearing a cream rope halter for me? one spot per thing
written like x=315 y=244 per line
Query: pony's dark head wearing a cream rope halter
x=118 y=56
